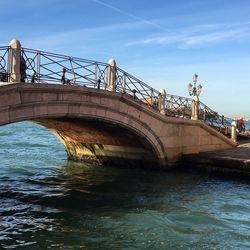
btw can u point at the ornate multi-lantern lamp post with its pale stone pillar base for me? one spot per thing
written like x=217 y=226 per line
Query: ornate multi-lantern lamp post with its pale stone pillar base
x=194 y=91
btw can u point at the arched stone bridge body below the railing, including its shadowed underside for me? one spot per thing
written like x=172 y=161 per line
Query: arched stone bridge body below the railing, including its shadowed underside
x=105 y=126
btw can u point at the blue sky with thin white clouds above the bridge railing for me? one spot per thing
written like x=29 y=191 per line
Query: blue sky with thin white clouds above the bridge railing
x=161 y=42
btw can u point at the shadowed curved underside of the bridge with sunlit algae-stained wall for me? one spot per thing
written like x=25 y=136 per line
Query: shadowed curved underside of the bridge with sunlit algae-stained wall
x=99 y=142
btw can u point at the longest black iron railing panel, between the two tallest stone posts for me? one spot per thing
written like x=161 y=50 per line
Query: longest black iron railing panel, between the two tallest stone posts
x=54 y=68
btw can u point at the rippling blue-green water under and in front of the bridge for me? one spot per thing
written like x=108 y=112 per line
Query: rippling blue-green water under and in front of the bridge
x=50 y=203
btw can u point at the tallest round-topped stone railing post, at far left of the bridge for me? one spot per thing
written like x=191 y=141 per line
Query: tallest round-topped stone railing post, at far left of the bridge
x=15 y=61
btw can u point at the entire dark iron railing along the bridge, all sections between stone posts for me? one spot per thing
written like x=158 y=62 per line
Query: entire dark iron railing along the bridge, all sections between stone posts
x=43 y=67
